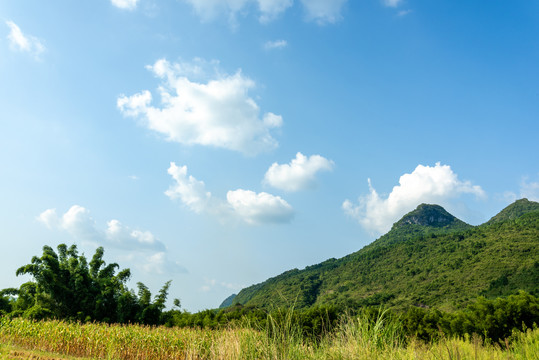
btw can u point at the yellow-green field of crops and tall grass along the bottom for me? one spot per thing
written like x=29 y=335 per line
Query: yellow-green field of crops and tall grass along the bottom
x=355 y=338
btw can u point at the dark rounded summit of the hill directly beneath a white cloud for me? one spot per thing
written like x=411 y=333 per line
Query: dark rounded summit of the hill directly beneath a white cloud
x=427 y=215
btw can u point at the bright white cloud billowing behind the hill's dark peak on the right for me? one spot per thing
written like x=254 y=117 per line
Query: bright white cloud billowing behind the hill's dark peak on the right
x=425 y=184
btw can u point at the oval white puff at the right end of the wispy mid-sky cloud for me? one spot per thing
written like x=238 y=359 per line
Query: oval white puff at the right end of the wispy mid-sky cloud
x=259 y=208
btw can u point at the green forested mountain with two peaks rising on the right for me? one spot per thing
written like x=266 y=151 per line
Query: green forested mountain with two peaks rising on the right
x=428 y=258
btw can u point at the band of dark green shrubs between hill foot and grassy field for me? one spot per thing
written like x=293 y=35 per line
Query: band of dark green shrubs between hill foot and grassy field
x=492 y=320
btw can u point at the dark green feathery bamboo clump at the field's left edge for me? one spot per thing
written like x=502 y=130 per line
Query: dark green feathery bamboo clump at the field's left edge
x=66 y=286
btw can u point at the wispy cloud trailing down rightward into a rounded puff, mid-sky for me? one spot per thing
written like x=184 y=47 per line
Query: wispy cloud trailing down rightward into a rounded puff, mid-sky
x=250 y=207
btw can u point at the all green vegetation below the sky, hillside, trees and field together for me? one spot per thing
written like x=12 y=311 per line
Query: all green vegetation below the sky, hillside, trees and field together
x=432 y=288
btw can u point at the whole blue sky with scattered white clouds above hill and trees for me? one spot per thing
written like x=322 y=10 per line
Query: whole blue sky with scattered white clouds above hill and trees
x=219 y=143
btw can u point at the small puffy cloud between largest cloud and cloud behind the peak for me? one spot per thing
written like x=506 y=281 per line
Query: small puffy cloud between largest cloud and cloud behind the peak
x=300 y=174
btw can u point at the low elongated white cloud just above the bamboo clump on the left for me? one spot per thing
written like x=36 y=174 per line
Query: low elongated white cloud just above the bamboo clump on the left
x=79 y=224
